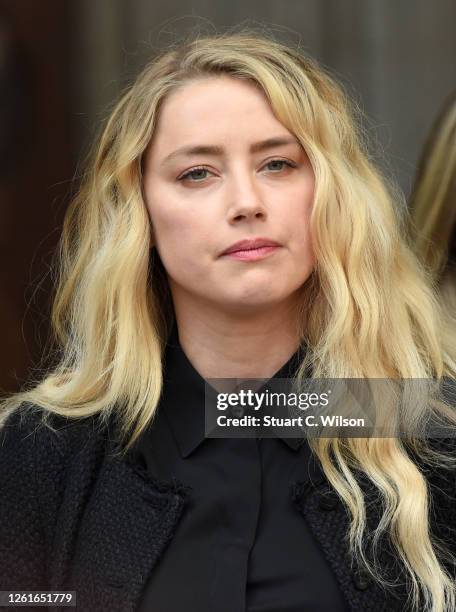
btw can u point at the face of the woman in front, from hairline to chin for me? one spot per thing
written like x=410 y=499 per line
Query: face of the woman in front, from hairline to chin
x=201 y=203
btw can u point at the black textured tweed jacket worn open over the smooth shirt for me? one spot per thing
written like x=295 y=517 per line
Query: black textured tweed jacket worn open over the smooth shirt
x=76 y=516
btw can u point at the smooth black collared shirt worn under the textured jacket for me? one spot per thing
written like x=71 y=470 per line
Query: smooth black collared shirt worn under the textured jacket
x=241 y=545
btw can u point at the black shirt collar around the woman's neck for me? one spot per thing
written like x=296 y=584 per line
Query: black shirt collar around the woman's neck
x=184 y=395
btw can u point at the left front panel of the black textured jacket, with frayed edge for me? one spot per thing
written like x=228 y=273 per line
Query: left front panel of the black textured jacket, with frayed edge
x=122 y=530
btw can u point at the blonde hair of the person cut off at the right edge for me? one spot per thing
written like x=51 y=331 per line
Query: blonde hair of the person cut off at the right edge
x=433 y=207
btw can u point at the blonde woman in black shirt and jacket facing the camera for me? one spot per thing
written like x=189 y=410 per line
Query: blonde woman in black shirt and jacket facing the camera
x=230 y=226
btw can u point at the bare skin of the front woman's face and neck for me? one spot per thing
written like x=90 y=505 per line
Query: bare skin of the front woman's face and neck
x=235 y=318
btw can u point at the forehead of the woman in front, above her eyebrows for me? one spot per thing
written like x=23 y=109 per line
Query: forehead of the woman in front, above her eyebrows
x=219 y=107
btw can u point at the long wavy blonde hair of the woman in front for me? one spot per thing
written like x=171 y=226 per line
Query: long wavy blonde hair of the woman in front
x=370 y=309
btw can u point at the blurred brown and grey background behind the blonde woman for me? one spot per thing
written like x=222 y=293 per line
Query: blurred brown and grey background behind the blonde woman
x=63 y=62
